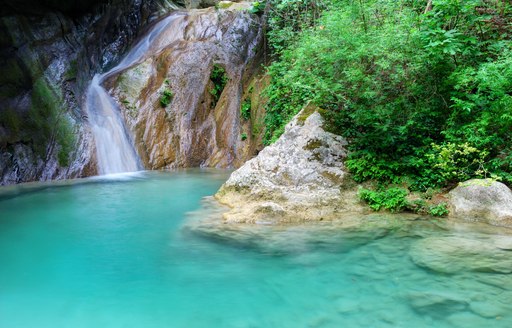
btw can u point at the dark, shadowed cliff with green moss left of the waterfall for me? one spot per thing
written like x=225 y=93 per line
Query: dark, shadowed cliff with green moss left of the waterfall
x=49 y=51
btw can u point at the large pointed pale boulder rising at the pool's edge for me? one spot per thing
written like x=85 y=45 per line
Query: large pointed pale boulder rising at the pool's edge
x=299 y=178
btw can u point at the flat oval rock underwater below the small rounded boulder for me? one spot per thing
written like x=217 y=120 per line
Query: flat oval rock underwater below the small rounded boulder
x=459 y=254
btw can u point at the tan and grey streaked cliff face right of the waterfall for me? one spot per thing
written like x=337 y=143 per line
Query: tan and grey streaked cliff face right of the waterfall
x=179 y=112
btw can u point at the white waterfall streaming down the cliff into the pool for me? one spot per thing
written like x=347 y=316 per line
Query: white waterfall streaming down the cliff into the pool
x=114 y=148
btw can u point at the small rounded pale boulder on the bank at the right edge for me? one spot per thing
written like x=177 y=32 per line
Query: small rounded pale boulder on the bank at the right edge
x=483 y=200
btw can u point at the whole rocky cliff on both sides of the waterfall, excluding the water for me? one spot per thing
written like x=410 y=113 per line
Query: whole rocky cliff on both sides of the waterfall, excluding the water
x=205 y=66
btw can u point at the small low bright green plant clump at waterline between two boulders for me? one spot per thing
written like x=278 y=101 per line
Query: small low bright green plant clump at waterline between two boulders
x=392 y=199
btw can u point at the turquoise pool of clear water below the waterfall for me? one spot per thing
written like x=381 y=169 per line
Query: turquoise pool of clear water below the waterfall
x=114 y=253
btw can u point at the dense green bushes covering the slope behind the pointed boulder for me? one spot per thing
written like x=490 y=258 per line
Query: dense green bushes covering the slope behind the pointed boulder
x=422 y=93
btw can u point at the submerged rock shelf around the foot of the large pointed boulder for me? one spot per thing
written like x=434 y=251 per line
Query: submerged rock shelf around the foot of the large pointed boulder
x=341 y=235
